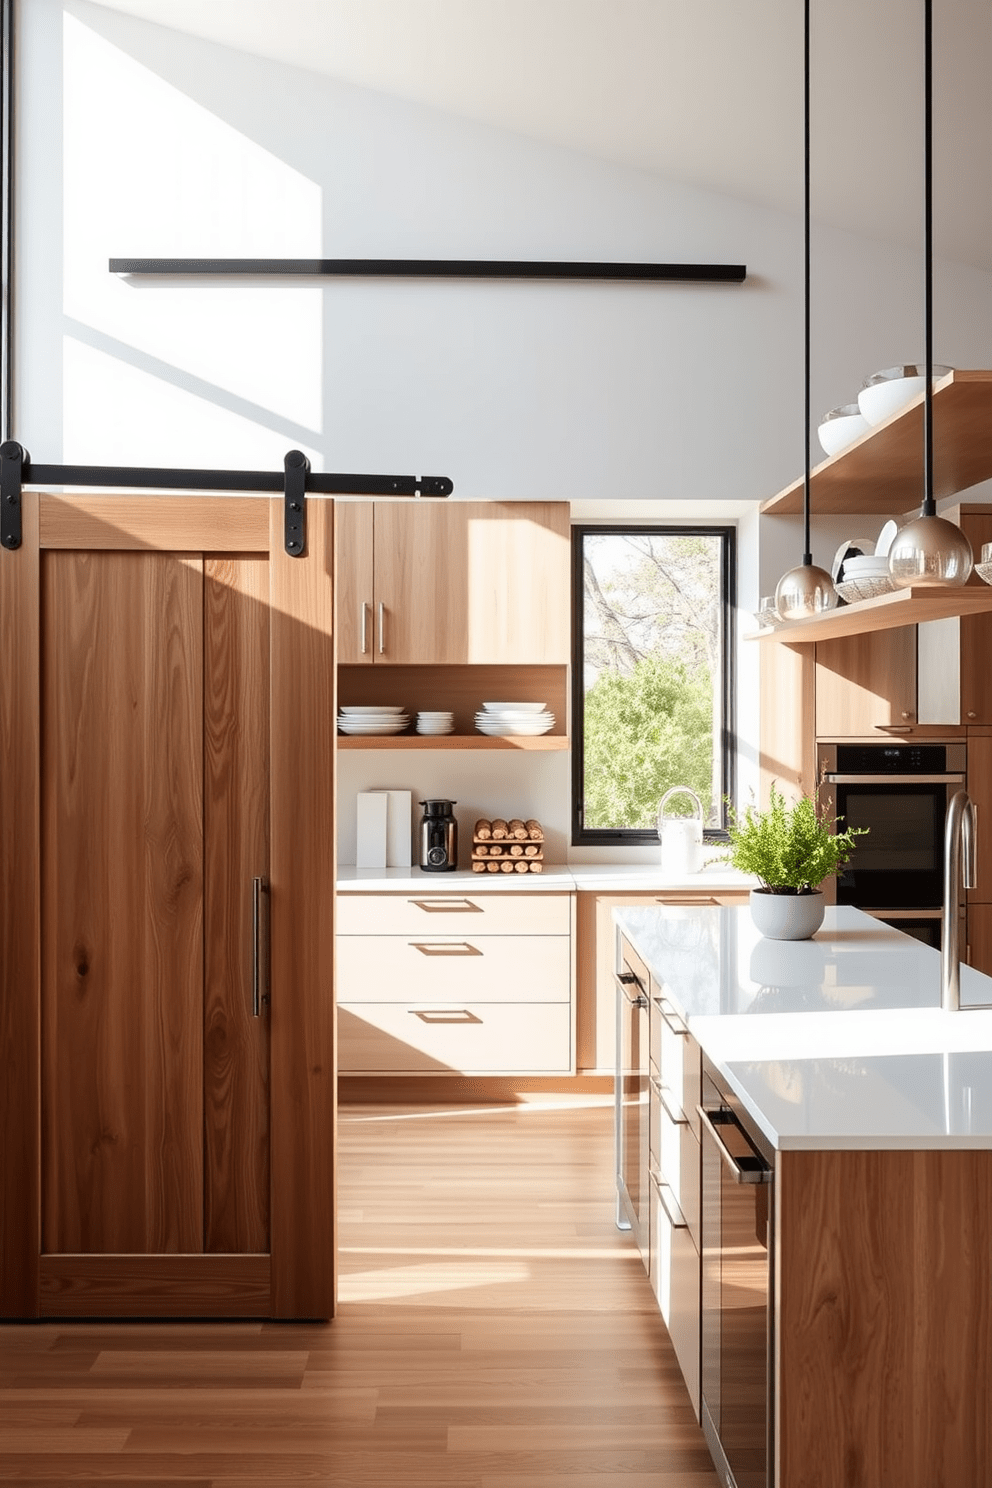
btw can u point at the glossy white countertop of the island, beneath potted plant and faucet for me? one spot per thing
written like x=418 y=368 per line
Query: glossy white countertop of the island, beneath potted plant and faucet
x=834 y=1042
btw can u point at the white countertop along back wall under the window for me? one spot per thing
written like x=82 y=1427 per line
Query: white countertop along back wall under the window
x=602 y=879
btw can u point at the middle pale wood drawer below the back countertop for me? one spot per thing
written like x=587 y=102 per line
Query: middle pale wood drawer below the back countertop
x=508 y=969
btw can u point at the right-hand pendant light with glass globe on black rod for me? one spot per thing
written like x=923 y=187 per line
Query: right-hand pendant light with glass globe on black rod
x=930 y=551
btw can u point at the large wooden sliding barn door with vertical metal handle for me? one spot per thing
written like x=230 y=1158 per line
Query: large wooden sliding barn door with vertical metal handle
x=167 y=713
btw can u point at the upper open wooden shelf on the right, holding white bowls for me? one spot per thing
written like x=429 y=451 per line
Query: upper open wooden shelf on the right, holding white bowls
x=884 y=471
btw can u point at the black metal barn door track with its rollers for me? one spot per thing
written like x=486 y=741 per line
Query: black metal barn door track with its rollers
x=295 y=483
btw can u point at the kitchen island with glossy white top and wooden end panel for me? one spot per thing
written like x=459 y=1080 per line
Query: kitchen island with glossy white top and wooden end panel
x=875 y=1114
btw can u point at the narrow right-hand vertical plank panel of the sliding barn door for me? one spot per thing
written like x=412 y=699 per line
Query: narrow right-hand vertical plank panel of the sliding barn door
x=237 y=850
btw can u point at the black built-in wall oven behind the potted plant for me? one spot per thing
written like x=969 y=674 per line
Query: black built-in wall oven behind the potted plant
x=901 y=794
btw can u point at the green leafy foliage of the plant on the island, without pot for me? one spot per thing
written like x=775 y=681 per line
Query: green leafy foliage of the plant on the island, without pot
x=790 y=849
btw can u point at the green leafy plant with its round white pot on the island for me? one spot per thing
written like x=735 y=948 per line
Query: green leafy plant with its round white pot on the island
x=792 y=849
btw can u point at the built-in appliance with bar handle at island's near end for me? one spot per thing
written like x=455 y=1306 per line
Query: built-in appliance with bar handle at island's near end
x=738 y=1289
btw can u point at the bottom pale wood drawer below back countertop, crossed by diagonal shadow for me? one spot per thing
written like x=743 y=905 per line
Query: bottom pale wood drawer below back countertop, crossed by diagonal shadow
x=454 y=1038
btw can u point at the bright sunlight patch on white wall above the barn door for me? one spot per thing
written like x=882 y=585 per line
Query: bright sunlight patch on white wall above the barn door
x=149 y=172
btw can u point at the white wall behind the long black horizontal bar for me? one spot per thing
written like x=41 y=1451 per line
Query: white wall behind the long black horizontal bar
x=136 y=141
